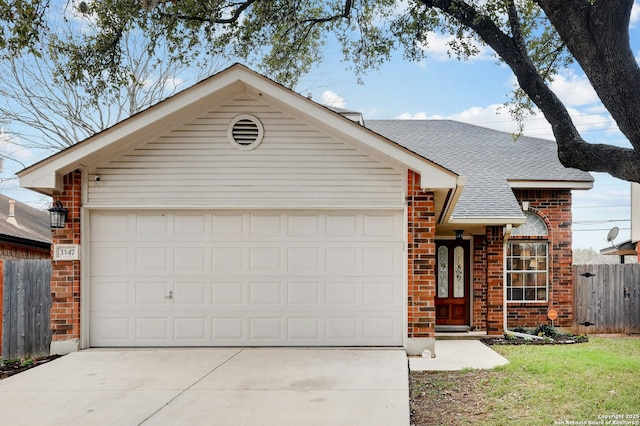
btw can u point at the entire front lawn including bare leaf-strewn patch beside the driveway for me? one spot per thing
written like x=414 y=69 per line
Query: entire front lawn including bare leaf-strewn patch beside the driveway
x=542 y=385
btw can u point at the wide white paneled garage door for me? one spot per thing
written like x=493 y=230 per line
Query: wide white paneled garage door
x=246 y=278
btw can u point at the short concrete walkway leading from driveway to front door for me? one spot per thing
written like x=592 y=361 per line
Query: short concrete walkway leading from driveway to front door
x=454 y=355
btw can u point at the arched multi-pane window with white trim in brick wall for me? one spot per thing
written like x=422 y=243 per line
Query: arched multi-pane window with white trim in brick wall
x=527 y=265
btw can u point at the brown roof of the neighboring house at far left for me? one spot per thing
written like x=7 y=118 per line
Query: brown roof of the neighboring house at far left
x=28 y=227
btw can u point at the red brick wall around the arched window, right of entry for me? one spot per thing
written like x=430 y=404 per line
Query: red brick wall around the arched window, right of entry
x=554 y=206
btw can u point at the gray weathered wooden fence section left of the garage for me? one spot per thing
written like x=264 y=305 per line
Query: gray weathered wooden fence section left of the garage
x=25 y=306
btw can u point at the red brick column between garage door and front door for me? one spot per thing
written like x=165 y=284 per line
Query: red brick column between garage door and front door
x=421 y=259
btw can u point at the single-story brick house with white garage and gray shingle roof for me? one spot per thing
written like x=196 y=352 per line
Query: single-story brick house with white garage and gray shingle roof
x=238 y=212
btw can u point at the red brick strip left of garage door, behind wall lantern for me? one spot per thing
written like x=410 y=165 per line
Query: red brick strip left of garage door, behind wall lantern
x=65 y=276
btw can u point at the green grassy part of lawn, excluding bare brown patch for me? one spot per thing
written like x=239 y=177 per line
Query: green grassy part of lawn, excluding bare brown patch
x=554 y=383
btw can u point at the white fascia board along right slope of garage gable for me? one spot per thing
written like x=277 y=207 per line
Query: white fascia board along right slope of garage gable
x=333 y=124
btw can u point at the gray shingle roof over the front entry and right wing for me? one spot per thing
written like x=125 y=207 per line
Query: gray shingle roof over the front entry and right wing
x=492 y=161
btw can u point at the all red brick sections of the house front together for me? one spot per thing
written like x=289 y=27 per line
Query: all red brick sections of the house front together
x=554 y=206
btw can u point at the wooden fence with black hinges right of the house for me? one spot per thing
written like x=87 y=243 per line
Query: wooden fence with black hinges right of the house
x=607 y=297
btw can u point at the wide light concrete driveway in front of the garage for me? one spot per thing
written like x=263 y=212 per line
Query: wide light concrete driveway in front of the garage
x=228 y=386
